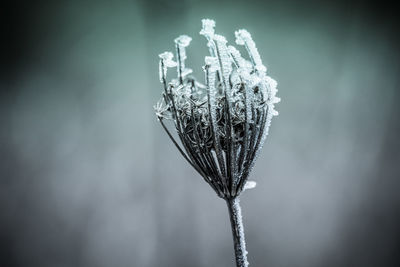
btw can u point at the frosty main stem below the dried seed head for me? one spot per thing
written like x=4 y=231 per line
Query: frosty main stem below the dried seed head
x=235 y=215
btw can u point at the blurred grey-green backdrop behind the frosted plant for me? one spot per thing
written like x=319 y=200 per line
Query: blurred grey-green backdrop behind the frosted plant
x=89 y=178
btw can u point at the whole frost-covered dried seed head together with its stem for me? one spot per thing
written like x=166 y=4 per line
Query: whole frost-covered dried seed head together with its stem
x=222 y=125
